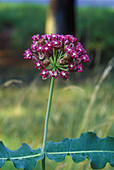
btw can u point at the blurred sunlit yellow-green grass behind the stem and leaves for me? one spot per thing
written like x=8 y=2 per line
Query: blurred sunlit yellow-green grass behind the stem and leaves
x=22 y=113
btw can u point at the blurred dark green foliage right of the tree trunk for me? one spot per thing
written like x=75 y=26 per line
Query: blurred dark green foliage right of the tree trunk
x=96 y=25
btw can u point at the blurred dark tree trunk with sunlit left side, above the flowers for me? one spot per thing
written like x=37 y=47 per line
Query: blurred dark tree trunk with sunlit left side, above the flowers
x=61 y=17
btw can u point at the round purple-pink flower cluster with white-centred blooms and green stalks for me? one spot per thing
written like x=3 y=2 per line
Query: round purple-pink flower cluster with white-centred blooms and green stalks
x=56 y=55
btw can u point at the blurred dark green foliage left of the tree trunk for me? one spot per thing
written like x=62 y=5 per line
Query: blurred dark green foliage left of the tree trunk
x=25 y=20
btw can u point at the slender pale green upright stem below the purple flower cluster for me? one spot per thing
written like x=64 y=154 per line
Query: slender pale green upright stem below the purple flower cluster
x=46 y=121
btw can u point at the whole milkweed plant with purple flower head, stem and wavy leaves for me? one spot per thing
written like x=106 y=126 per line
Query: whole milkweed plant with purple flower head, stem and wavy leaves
x=58 y=56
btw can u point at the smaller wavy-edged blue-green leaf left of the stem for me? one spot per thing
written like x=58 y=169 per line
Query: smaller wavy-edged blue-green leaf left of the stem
x=23 y=157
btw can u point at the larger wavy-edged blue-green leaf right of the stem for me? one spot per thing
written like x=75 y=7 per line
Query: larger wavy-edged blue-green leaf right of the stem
x=98 y=150
